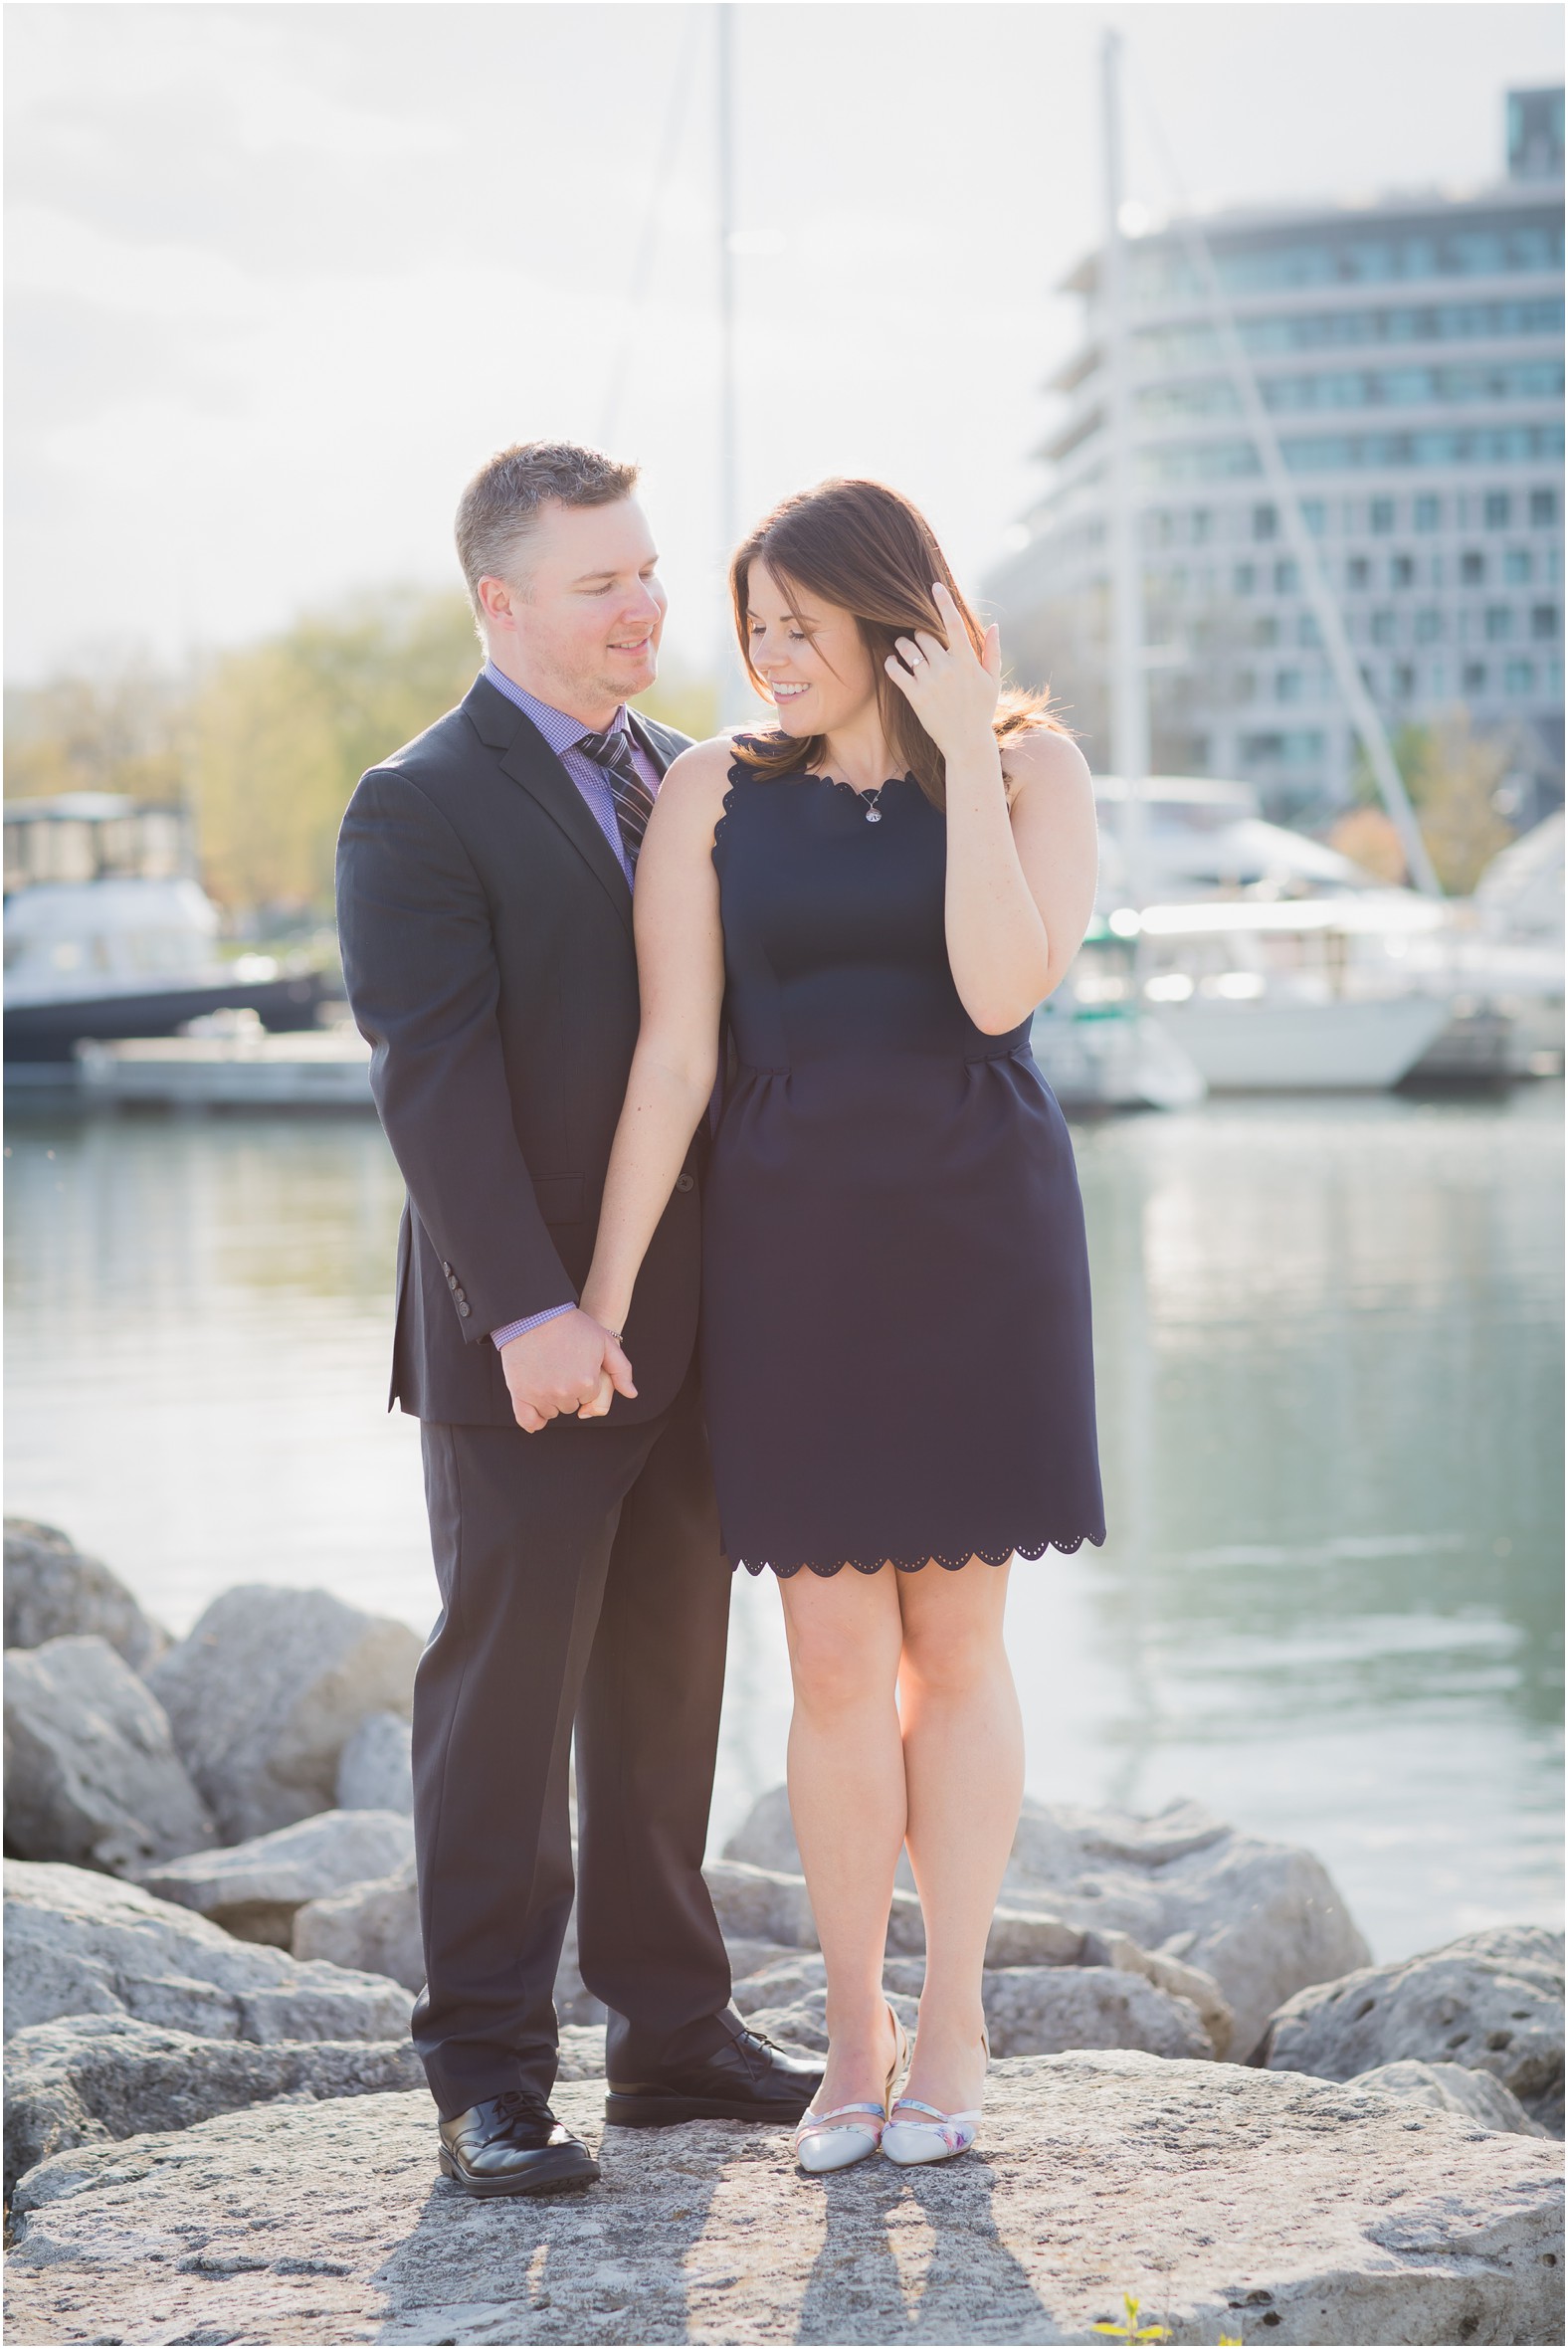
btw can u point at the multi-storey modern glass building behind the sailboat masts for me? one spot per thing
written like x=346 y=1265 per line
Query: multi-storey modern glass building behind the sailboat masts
x=1412 y=356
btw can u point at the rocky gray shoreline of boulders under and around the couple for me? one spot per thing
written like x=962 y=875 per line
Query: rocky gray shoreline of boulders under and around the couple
x=1205 y=2092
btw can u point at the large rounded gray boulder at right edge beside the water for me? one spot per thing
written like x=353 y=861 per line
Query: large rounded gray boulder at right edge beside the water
x=1489 y=2003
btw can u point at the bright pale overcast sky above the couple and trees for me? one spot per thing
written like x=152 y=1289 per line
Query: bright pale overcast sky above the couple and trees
x=283 y=276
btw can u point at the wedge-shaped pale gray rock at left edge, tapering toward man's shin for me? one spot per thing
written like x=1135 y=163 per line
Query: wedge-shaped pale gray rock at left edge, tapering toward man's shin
x=79 y=1944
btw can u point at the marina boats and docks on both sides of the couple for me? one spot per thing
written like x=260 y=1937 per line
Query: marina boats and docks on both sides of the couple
x=1226 y=955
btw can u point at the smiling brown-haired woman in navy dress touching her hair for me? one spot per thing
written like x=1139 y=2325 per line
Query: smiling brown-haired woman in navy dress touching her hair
x=874 y=898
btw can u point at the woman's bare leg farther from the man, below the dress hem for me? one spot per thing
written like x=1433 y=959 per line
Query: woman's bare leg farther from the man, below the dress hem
x=964 y=1765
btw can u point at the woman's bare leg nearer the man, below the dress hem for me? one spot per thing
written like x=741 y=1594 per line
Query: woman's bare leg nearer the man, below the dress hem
x=846 y=1798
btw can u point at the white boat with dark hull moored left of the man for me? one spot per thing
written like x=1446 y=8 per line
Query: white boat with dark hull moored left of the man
x=109 y=934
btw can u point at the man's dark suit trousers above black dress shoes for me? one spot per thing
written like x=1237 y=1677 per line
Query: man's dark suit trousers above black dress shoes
x=583 y=1584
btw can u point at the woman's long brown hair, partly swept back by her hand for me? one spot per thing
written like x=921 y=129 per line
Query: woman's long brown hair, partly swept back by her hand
x=870 y=551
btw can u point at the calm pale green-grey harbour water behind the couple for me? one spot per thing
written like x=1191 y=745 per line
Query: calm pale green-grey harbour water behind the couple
x=1330 y=1375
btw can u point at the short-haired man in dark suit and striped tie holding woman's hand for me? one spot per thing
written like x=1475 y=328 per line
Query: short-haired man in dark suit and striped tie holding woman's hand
x=485 y=906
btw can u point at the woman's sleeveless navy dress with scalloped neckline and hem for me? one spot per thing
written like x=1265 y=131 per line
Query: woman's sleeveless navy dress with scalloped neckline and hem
x=898 y=1361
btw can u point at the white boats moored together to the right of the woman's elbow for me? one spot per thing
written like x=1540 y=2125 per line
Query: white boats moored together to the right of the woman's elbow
x=1231 y=955
